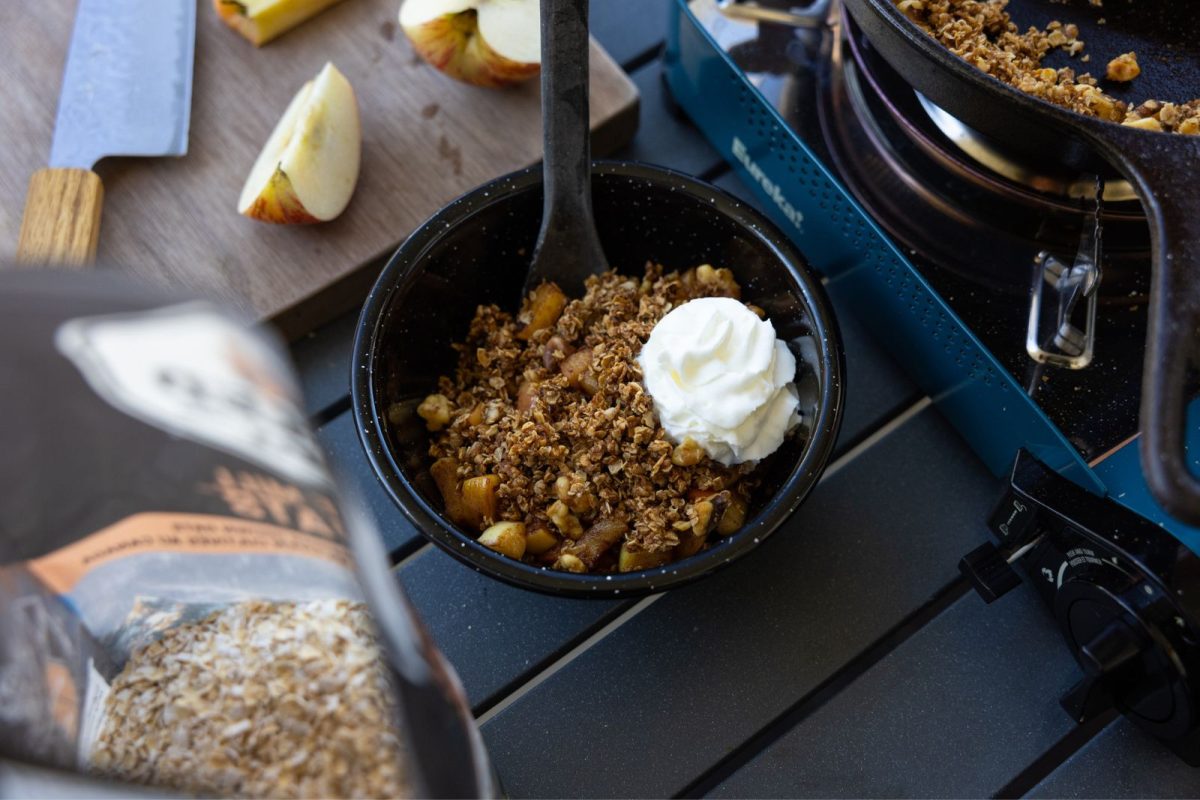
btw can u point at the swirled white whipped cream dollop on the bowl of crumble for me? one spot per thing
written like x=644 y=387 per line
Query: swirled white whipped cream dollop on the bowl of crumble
x=718 y=376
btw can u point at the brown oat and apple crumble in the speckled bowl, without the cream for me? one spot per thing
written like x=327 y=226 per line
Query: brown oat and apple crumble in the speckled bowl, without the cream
x=548 y=443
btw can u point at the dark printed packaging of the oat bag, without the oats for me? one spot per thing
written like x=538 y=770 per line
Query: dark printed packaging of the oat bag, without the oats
x=160 y=473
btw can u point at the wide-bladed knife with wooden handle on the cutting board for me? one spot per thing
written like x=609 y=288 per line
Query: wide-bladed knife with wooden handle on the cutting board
x=127 y=92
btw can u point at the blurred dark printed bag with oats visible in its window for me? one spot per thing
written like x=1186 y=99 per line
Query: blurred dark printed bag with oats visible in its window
x=183 y=597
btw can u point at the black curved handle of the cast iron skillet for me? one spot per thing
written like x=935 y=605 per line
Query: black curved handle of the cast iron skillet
x=1165 y=172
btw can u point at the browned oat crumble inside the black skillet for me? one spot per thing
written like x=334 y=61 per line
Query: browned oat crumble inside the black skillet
x=985 y=35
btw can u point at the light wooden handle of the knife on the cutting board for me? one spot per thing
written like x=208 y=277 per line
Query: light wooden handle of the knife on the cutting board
x=62 y=222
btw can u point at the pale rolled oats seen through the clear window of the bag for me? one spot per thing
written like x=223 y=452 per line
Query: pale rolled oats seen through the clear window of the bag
x=261 y=700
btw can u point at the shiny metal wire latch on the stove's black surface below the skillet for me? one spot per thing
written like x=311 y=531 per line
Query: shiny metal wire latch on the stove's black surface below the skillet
x=1063 y=288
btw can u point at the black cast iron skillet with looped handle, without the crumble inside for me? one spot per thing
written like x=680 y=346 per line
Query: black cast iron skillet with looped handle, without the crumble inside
x=1163 y=169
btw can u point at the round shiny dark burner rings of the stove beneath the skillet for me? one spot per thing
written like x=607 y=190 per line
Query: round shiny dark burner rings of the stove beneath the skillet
x=953 y=209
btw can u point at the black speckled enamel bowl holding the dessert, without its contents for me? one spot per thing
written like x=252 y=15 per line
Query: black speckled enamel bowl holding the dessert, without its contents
x=477 y=250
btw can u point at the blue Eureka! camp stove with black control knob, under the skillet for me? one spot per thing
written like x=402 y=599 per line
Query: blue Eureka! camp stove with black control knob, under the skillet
x=1016 y=296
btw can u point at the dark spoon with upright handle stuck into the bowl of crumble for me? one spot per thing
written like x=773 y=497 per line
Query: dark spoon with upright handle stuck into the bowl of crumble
x=568 y=246
